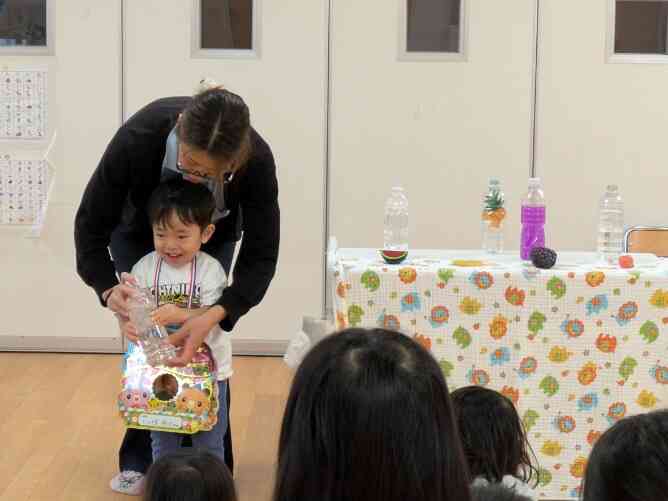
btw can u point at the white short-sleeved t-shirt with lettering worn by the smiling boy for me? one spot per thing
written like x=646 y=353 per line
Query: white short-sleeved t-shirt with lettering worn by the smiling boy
x=174 y=287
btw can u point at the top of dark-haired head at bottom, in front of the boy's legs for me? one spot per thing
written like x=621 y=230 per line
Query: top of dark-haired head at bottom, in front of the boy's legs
x=189 y=475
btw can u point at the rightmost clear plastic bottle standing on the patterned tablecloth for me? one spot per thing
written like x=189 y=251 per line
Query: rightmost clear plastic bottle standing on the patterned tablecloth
x=611 y=225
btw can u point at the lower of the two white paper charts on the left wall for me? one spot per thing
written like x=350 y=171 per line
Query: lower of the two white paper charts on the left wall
x=24 y=190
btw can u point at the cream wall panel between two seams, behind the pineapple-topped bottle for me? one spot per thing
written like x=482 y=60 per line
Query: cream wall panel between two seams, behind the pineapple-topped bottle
x=439 y=128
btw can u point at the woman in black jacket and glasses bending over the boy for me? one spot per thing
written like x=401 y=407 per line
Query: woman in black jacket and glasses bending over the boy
x=205 y=139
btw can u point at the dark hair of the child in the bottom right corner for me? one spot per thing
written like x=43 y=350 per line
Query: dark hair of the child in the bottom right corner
x=629 y=462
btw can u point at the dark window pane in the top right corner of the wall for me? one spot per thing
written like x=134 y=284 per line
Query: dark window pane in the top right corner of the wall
x=641 y=27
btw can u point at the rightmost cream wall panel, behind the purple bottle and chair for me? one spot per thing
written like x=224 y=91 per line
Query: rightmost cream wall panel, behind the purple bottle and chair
x=598 y=123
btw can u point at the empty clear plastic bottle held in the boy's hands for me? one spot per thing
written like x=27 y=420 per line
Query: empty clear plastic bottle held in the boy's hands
x=152 y=337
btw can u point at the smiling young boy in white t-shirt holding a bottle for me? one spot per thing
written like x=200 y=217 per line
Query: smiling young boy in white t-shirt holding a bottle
x=185 y=281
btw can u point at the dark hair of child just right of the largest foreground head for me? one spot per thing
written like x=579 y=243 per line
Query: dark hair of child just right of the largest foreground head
x=493 y=436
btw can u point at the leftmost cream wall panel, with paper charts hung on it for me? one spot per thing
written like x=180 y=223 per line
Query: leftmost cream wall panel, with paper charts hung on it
x=43 y=296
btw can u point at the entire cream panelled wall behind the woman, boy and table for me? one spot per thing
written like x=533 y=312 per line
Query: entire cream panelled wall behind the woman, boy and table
x=440 y=128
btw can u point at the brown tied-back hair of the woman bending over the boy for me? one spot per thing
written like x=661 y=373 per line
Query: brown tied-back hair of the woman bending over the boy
x=217 y=121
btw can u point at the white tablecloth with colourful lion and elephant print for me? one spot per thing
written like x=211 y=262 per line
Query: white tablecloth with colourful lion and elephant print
x=576 y=348
